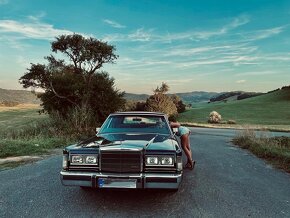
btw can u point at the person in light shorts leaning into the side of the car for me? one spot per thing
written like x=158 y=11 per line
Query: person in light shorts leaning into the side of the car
x=183 y=133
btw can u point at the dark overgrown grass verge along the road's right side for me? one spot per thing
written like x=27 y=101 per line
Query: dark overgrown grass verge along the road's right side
x=275 y=150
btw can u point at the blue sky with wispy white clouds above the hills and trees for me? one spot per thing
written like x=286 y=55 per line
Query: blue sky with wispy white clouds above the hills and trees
x=200 y=45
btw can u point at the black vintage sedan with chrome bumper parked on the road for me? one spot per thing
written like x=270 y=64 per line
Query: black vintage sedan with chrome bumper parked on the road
x=131 y=150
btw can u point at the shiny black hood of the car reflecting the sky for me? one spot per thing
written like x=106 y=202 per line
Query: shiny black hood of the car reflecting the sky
x=136 y=141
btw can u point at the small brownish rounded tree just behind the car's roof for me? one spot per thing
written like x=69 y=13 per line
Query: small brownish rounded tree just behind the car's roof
x=160 y=102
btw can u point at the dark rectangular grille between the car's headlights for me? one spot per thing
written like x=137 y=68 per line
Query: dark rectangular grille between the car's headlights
x=120 y=161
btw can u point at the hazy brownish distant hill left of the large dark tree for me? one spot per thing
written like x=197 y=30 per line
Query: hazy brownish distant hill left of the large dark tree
x=18 y=96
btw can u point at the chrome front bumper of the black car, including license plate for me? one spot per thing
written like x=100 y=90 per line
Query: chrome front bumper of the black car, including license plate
x=115 y=180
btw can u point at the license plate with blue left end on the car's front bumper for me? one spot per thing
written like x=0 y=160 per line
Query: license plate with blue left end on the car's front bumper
x=116 y=183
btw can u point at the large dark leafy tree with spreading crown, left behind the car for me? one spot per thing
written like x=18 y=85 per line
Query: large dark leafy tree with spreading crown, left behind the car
x=76 y=82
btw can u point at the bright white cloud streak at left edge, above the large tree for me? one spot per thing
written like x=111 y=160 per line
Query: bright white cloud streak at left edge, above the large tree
x=33 y=30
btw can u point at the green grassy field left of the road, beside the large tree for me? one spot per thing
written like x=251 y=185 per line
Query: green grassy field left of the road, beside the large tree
x=25 y=132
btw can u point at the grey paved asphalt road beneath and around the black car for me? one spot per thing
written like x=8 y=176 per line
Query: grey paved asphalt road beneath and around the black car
x=227 y=182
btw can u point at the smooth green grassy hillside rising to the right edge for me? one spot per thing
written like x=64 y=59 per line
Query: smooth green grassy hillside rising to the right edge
x=268 y=109
